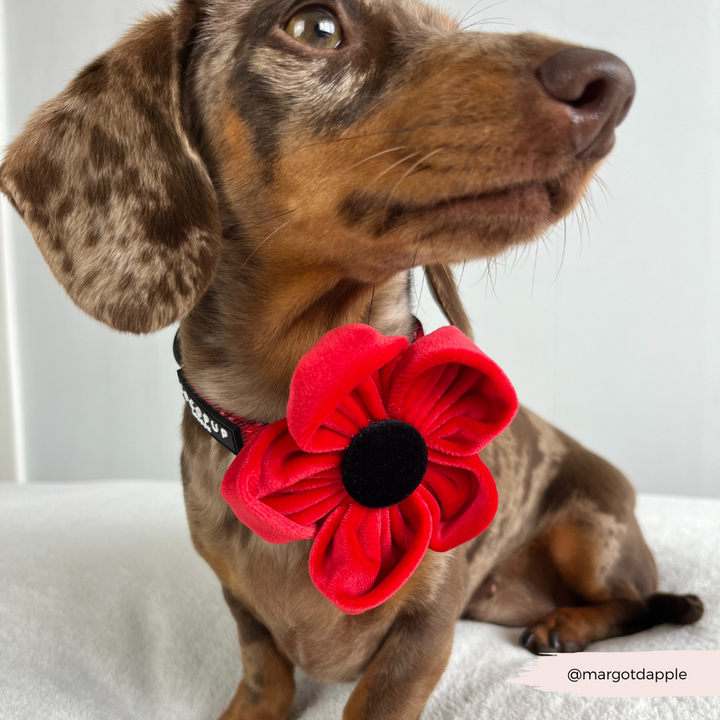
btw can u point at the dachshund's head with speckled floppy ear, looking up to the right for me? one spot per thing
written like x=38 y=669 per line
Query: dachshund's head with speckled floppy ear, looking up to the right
x=355 y=137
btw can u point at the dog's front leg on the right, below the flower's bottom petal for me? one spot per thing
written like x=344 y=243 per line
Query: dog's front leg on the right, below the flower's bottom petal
x=407 y=667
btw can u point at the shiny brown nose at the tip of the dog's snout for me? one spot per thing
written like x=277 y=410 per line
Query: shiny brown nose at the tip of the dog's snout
x=597 y=89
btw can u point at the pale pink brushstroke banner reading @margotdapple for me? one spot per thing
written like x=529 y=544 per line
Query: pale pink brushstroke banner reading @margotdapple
x=680 y=673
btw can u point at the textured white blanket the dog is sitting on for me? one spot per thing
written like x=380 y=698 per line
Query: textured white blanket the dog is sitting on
x=106 y=612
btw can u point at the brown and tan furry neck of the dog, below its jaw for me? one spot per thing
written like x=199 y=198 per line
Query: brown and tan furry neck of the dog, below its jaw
x=243 y=342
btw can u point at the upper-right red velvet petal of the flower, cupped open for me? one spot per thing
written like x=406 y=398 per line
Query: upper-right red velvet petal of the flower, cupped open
x=452 y=392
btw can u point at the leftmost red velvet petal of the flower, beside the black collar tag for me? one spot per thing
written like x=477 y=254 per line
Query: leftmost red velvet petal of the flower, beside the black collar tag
x=278 y=491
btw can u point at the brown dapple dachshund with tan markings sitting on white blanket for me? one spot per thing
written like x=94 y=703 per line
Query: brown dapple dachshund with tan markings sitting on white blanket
x=266 y=171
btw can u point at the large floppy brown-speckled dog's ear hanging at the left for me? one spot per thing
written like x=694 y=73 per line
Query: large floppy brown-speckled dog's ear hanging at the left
x=108 y=181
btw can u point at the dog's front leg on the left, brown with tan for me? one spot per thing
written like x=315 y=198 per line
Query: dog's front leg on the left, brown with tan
x=267 y=688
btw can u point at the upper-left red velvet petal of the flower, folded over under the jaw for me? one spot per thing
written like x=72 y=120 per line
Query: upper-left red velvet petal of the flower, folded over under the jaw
x=335 y=367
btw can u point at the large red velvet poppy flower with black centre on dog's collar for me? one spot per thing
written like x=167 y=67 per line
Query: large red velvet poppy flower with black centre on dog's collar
x=377 y=460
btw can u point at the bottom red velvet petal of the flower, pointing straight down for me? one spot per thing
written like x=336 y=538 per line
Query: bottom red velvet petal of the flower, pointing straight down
x=361 y=557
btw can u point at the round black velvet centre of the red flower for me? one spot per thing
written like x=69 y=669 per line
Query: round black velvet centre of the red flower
x=384 y=464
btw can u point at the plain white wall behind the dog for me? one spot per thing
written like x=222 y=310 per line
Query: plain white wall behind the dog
x=620 y=347
